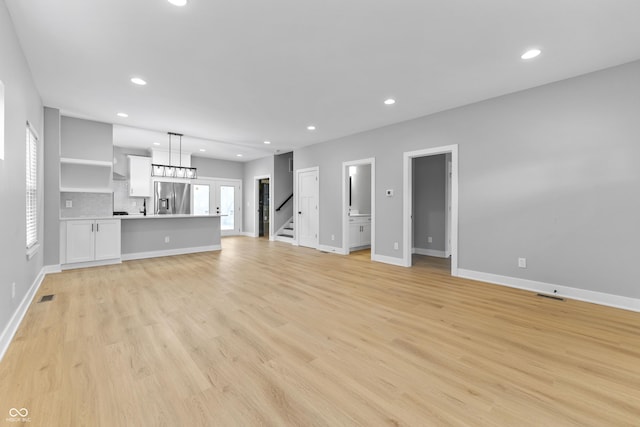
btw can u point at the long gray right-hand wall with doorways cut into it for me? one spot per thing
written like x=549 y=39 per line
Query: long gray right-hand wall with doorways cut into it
x=549 y=174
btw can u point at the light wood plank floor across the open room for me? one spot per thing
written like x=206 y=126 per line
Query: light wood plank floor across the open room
x=264 y=333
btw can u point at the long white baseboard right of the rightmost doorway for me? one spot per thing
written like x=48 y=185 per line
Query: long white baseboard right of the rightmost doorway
x=617 y=301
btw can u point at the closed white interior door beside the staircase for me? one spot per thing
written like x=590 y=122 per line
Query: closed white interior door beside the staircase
x=307 y=215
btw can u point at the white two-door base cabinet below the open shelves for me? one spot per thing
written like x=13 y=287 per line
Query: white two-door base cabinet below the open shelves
x=92 y=240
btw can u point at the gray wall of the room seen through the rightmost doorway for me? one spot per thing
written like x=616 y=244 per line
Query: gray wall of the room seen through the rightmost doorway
x=429 y=202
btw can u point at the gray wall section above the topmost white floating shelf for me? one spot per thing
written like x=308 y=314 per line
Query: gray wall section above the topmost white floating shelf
x=86 y=139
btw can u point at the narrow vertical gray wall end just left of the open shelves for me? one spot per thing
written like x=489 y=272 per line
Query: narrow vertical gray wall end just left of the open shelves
x=51 y=161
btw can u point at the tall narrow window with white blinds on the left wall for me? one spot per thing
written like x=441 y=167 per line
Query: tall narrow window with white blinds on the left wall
x=32 y=191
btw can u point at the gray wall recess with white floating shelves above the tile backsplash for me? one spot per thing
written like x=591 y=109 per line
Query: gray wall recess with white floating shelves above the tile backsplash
x=86 y=156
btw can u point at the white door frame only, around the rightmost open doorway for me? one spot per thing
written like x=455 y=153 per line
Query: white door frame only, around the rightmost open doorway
x=407 y=195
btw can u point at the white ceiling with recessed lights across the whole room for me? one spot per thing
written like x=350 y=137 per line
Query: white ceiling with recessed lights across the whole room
x=241 y=72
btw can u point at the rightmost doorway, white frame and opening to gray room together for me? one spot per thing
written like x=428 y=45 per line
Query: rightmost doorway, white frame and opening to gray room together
x=430 y=213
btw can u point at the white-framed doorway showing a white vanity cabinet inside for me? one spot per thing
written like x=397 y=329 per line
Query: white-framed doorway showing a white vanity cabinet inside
x=358 y=206
